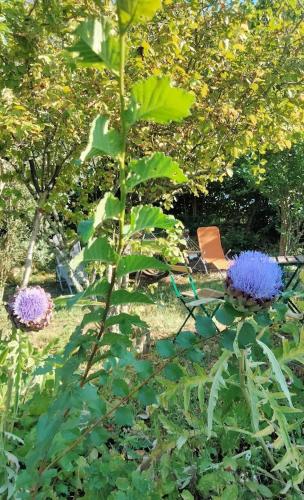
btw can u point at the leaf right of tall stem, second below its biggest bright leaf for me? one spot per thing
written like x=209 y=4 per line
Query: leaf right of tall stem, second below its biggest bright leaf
x=148 y=217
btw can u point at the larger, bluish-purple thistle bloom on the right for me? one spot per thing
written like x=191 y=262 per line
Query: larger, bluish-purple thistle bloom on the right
x=256 y=275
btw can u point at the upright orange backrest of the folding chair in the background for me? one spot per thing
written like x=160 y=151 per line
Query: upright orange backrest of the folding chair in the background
x=209 y=240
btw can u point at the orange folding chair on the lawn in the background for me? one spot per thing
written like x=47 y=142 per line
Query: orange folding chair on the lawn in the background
x=209 y=240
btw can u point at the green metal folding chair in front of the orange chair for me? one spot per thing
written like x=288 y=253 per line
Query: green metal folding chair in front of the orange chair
x=194 y=299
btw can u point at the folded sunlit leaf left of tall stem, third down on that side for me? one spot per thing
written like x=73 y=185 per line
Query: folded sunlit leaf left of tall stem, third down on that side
x=107 y=208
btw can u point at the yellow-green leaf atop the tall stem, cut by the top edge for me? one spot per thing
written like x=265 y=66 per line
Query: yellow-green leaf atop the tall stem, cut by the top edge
x=134 y=11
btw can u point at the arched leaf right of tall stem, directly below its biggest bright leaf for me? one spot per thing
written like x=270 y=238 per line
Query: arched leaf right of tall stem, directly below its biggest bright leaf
x=156 y=166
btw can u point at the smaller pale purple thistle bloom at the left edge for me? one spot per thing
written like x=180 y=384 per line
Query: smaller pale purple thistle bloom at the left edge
x=31 y=308
